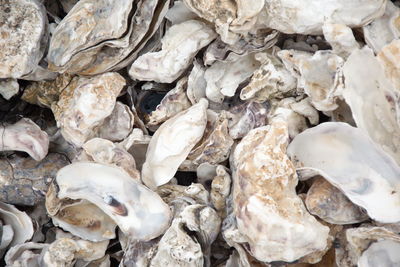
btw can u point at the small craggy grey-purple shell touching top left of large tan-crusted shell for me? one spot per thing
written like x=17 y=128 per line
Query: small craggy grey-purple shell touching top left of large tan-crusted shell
x=244 y=117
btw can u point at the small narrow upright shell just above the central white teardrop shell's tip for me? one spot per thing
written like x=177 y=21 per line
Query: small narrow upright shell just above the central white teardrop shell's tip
x=196 y=84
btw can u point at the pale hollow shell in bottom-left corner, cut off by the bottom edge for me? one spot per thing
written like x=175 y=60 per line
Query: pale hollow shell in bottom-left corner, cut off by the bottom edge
x=26 y=254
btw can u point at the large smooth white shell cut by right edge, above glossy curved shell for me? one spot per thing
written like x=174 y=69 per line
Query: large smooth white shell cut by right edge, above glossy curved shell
x=372 y=99
